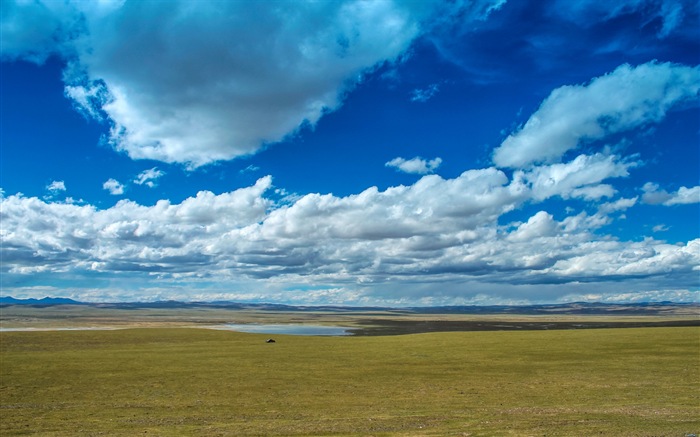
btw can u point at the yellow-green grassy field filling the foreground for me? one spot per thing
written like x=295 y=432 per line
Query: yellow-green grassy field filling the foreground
x=173 y=381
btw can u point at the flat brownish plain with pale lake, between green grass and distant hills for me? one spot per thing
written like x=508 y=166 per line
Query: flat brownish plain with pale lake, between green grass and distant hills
x=363 y=321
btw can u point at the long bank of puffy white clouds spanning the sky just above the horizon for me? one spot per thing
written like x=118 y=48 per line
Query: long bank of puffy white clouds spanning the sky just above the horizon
x=446 y=231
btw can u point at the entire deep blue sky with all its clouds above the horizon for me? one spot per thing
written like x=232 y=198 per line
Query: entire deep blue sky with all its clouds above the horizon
x=393 y=153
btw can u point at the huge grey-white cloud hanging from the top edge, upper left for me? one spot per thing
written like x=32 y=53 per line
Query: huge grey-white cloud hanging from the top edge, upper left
x=199 y=84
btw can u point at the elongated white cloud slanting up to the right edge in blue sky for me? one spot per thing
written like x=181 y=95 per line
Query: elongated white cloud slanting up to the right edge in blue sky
x=627 y=98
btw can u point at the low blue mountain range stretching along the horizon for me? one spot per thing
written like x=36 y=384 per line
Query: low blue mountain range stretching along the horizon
x=648 y=308
